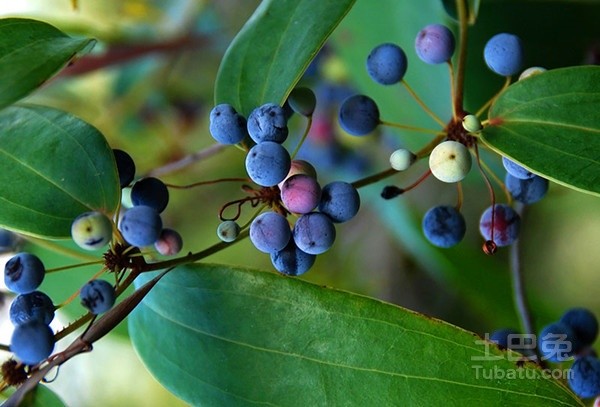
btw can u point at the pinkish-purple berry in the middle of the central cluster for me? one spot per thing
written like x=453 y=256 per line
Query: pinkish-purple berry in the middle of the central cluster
x=300 y=193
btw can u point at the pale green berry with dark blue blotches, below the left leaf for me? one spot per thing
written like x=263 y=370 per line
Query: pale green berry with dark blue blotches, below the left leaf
x=91 y=230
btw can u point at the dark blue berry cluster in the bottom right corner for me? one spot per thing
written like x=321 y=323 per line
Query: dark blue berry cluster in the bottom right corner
x=571 y=337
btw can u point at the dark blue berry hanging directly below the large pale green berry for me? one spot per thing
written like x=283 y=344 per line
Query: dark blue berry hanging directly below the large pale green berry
x=444 y=226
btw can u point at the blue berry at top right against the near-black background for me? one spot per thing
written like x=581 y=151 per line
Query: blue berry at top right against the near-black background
x=503 y=54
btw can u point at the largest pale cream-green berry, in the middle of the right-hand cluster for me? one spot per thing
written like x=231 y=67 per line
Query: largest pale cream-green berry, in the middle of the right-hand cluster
x=450 y=161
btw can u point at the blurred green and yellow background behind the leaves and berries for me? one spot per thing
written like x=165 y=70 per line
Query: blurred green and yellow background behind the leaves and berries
x=154 y=103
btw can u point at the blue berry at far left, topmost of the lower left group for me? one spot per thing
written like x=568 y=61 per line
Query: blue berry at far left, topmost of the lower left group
x=24 y=273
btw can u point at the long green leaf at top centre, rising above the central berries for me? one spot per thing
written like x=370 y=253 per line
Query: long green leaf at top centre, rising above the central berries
x=268 y=56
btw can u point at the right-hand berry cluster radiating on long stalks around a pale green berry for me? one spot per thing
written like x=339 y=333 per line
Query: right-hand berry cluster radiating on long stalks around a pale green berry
x=450 y=159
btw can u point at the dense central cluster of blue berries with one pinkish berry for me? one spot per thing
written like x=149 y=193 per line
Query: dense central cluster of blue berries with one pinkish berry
x=287 y=186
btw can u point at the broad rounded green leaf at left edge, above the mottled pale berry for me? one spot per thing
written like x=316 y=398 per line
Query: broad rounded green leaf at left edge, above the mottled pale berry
x=53 y=167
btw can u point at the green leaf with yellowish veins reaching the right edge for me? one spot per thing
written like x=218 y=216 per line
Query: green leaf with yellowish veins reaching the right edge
x=550 y=123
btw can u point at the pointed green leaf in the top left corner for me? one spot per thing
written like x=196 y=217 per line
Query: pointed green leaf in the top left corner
x=30 y=53
